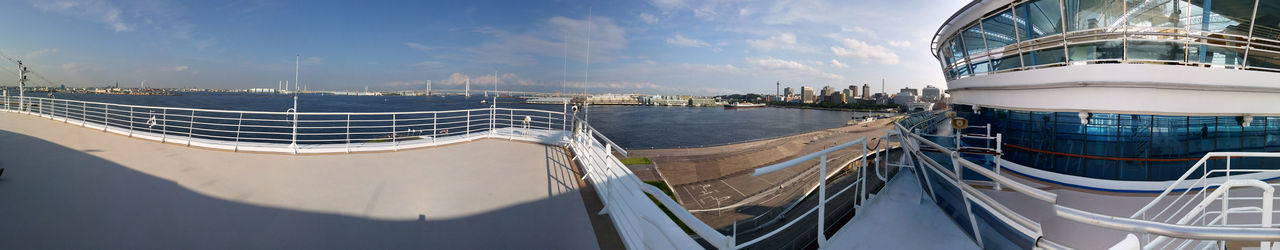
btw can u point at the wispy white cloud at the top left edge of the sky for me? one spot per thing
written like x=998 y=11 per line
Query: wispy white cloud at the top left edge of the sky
x=97 y=11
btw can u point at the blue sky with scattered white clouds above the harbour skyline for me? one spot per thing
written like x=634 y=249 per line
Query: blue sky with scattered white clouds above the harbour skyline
x=621 y=47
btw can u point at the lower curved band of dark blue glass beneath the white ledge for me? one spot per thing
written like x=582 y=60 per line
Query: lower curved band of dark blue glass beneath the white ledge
x=1126 y=147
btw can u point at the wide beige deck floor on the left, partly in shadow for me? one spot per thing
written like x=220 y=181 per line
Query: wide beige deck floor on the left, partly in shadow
x=71 y=188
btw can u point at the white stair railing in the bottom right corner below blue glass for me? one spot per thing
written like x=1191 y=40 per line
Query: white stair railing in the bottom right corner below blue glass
x=1195 y=202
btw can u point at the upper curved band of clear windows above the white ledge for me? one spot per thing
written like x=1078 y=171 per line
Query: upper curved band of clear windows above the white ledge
x=1226 y=34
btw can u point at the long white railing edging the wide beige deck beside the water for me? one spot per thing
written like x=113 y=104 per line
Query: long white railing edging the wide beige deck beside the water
x=298 y=133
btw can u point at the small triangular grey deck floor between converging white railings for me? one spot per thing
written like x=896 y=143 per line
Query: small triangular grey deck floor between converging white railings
x=900 y=219
